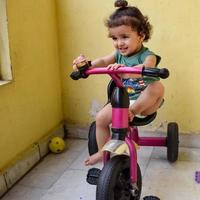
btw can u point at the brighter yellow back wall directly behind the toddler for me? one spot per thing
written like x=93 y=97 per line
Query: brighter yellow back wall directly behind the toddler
x=176 y=29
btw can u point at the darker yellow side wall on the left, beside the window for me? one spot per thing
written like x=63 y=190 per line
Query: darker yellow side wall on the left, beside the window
x=30 y=106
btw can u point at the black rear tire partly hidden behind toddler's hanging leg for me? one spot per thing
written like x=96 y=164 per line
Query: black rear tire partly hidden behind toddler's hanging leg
x=92 y=142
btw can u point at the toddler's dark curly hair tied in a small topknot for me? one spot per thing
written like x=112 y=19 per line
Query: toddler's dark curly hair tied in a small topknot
x=130 y=16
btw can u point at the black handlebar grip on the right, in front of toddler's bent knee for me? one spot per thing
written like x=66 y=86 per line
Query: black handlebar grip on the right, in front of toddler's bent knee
x=155 y=72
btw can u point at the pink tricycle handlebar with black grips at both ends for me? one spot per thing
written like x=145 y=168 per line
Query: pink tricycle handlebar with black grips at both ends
x=84 y=72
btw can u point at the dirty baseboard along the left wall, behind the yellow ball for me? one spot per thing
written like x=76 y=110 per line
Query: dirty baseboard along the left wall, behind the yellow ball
x=24 y=162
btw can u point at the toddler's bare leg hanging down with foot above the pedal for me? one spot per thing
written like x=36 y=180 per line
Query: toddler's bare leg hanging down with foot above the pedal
x=103 y=120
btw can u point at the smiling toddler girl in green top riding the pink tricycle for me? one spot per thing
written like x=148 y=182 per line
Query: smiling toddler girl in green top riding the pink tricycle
x=128 y=28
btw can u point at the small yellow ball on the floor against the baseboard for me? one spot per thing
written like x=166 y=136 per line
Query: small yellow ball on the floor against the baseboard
x=57 y=144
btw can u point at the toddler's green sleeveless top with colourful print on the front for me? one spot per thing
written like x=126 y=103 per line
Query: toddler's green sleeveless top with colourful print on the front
x=136 y=85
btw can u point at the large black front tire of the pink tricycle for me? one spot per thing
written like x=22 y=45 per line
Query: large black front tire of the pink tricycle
x=114 y=180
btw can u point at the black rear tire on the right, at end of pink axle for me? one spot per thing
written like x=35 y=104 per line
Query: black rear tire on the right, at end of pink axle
x=172 y=142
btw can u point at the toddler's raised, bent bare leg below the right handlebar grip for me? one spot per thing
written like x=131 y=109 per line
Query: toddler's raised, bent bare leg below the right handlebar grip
x=150 y=99
